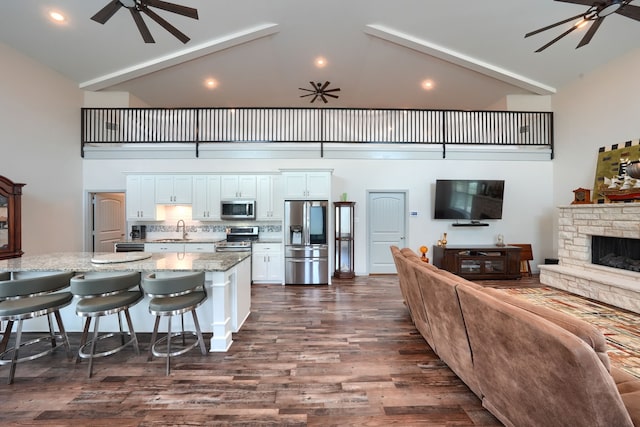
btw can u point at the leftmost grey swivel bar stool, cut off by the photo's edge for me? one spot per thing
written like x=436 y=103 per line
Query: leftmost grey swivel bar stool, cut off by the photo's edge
x=28 y=295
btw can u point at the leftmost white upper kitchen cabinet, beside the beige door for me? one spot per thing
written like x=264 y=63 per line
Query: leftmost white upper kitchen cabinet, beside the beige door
x=140 y=199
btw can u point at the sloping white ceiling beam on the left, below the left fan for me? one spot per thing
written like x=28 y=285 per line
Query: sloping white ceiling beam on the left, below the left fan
x=179 y=57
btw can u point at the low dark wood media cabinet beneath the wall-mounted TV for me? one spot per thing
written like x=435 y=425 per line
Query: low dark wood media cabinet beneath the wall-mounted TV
x=479 y=261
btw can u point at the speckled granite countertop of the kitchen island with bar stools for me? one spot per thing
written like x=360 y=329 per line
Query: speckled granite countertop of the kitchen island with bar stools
x=81 y=262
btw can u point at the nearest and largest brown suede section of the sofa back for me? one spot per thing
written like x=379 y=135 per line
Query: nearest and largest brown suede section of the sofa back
x=532 y=372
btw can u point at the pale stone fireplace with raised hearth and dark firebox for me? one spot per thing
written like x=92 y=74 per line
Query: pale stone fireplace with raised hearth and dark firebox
x=585 y=231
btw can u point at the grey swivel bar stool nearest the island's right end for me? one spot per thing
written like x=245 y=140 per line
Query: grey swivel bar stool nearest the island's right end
x=171 y=294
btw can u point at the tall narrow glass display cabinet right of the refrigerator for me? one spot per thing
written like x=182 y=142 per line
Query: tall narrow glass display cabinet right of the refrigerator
x=344 y=225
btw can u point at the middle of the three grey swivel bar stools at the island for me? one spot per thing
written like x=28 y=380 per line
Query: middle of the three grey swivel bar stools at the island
x=101 y=294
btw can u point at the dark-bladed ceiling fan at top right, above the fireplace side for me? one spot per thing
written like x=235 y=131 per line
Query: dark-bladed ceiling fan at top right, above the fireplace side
x=598 y=10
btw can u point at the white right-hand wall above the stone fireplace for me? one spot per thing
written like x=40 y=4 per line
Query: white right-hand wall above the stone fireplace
x=599 y=109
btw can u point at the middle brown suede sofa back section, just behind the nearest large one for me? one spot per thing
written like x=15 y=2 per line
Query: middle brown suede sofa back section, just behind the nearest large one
x=447 y=325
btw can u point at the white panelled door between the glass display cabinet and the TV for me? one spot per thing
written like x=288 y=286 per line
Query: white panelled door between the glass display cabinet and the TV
x=386 y=226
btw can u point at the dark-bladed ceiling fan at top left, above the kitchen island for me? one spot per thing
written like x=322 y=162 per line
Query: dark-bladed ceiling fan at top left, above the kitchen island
x=137 y=6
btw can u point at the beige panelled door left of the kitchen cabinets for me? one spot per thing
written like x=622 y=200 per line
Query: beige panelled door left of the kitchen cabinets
x=109 y=223
